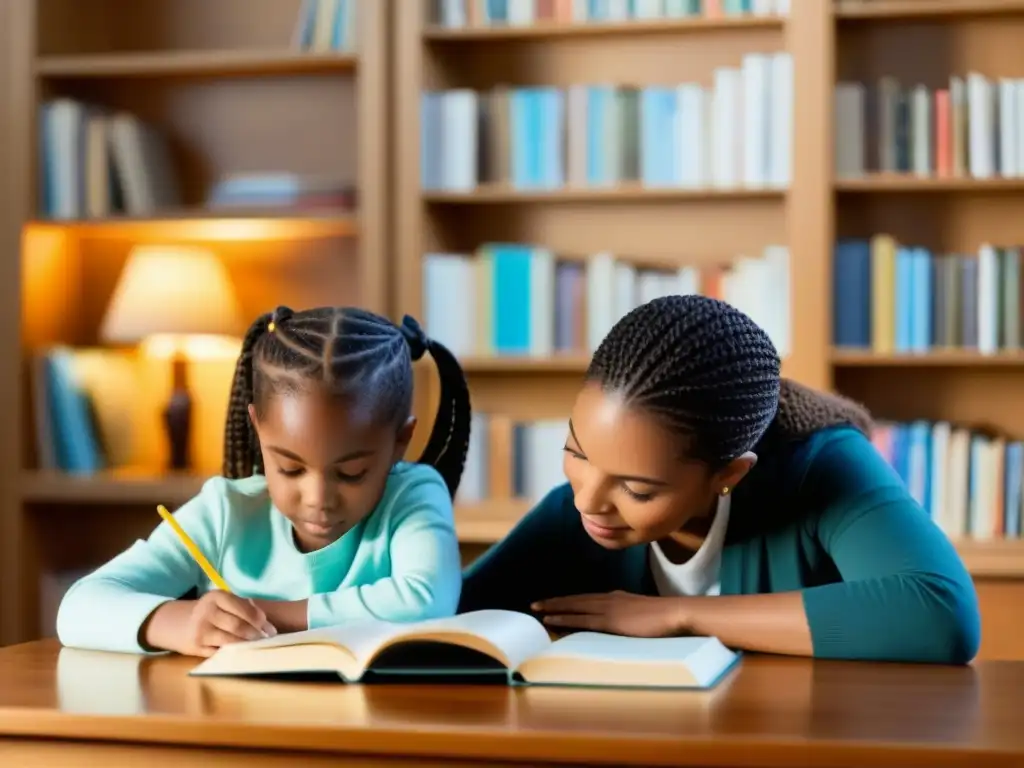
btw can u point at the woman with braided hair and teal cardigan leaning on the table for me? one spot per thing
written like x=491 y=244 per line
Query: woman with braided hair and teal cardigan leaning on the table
x=707 y=497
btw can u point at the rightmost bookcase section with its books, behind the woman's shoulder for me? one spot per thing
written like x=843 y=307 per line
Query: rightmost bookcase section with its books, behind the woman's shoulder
x=952 y=194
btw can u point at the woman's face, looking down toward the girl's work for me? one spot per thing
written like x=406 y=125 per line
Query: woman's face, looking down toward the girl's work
x=630 y=483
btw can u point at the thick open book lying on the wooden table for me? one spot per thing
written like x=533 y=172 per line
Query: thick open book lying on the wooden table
x=514 y=648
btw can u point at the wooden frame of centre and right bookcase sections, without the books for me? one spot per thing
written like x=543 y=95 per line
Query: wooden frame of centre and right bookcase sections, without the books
x=828 y=44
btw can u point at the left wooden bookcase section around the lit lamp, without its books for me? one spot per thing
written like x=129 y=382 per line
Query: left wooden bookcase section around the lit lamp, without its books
x=225 y=83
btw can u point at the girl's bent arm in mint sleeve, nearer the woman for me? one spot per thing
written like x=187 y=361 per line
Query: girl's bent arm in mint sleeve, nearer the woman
x=425 y=577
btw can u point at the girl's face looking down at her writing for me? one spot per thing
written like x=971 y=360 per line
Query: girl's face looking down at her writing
x=327 y=461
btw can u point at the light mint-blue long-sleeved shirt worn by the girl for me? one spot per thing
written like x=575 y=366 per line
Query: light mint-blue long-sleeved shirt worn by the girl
x=401 y=564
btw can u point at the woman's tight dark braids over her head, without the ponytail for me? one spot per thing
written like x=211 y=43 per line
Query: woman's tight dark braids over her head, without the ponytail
x=701 y=365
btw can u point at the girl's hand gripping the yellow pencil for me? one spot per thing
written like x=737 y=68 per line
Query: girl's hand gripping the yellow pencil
x=198 y=628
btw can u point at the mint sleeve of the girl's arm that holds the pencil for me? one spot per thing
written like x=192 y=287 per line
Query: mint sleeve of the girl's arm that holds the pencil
x=108 y=609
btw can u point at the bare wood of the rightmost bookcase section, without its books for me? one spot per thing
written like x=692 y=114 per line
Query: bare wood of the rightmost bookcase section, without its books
x=952 y=215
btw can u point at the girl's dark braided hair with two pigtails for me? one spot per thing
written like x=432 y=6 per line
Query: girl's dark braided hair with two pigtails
x=355 y=353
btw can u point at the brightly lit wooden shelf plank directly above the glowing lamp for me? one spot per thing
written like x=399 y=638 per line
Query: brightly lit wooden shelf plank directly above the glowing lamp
x=207 y=225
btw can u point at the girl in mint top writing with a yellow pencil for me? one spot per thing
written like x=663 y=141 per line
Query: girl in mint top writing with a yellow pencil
x=317 y=520
